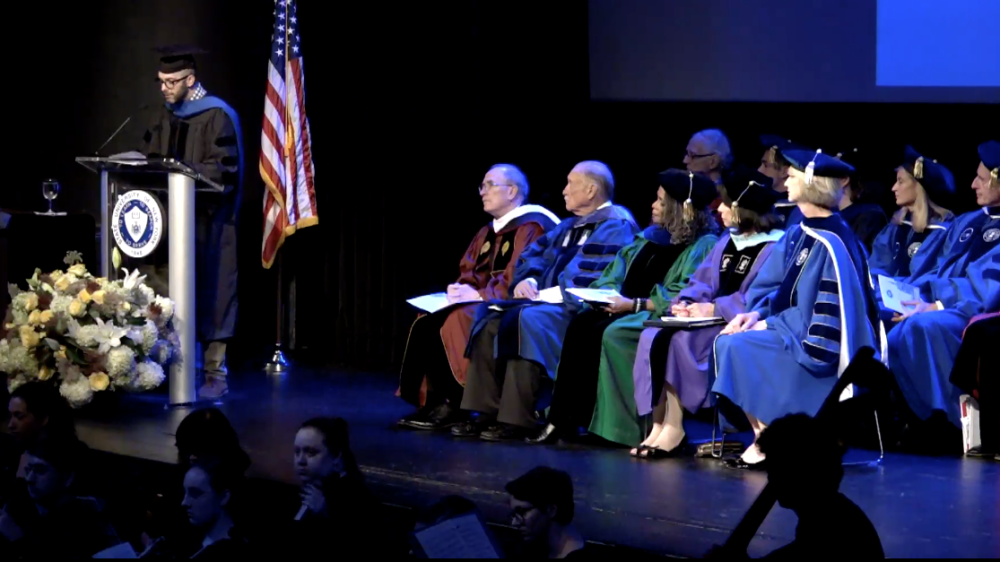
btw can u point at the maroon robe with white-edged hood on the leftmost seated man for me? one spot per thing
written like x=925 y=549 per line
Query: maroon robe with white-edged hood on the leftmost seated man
x=487 y=265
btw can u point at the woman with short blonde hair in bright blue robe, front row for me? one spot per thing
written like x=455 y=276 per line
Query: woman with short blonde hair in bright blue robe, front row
x=811 y=309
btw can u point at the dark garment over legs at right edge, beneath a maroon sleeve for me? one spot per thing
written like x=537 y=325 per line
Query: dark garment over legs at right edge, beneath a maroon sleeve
x=973 y=375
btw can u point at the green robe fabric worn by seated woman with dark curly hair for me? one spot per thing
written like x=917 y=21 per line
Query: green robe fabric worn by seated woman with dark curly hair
x=615 y=416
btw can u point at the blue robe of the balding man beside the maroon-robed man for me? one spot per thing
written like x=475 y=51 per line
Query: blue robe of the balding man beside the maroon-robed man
x=570 y=256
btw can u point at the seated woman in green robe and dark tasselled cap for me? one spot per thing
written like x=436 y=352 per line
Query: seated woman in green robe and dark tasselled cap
x=600 y=343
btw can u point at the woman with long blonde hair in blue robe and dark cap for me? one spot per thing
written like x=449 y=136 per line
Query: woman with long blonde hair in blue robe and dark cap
x=909 y=246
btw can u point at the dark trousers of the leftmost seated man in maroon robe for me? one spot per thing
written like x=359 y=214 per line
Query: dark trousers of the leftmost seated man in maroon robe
x=425 y=358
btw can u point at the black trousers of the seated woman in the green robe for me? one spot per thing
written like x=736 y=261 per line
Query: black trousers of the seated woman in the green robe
x=575 y=394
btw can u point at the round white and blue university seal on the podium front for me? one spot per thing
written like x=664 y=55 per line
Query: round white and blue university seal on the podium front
x=137 y=223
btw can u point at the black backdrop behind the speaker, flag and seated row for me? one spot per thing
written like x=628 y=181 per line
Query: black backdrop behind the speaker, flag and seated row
x=408 y=106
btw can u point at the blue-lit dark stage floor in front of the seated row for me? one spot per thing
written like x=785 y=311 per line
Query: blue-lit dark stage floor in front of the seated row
x=921 y=506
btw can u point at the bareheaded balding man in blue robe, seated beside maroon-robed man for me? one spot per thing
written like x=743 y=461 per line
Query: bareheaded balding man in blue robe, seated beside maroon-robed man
x=515 y=345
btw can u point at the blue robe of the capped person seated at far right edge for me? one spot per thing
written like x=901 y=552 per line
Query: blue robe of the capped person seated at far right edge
x=966 y=281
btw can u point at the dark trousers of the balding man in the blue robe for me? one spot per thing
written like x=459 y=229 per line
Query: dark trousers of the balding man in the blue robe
x=508 y=389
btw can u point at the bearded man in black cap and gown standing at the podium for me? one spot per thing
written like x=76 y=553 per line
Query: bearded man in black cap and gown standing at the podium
x=203 y=131
